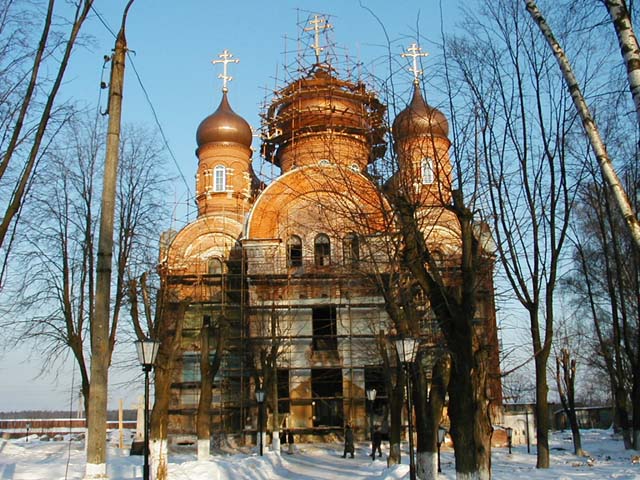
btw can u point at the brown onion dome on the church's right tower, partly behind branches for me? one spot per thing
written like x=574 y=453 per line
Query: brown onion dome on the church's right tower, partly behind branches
x=419 y=119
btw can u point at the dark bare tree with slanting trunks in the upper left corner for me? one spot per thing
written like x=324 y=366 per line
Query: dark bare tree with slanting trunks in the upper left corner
x=26 y=123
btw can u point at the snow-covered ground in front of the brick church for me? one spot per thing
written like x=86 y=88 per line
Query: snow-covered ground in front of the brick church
x=54 y=460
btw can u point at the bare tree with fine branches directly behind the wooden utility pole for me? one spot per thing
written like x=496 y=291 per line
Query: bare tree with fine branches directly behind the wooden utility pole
x=54 y=288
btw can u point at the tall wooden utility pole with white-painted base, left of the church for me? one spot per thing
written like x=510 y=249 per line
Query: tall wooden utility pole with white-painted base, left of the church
x=96 y=466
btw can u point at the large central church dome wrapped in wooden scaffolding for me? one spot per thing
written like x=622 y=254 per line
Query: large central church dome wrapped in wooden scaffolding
x=310 y=116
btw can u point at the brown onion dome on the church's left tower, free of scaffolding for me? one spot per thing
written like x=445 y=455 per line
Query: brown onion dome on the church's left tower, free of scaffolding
x=224 y=125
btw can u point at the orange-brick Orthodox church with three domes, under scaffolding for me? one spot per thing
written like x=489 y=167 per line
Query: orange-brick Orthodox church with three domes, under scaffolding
x=283 y=275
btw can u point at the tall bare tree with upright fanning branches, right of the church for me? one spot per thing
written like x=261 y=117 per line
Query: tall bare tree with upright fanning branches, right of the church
x=525 y=130
